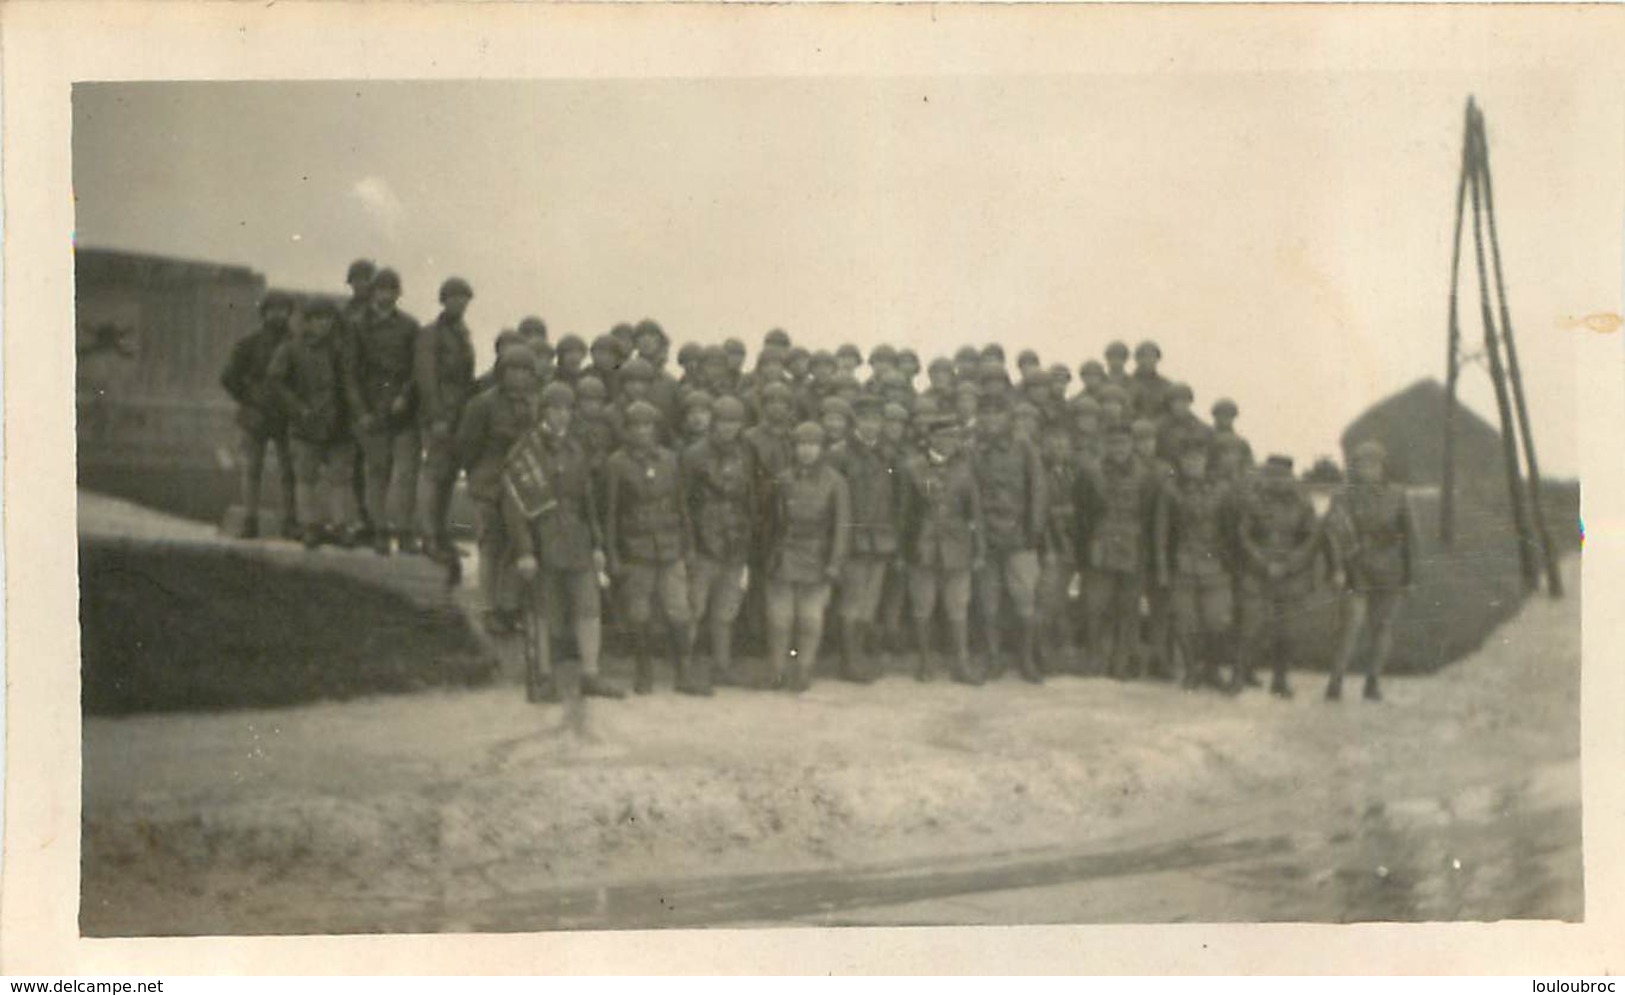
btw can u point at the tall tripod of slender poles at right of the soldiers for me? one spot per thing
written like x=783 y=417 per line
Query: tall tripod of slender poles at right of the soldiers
x=1528 y=518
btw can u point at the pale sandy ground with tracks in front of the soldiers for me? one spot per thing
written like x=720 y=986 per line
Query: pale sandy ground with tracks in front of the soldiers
x=1083 y=801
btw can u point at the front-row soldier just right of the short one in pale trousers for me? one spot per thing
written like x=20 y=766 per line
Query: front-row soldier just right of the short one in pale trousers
x=870 y=471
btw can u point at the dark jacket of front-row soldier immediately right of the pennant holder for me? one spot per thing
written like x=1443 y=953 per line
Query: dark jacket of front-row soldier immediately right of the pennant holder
x=646 y=519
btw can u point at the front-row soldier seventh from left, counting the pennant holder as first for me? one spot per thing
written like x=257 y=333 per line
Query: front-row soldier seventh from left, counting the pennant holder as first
x=1013 y=493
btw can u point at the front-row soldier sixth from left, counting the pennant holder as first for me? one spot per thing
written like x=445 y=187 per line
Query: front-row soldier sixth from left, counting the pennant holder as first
x=942 y=536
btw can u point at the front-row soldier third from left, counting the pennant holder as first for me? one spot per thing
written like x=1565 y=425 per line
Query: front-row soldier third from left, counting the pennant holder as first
x=726 y=510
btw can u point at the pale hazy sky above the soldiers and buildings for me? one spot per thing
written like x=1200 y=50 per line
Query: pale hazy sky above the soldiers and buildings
x=1286 y=238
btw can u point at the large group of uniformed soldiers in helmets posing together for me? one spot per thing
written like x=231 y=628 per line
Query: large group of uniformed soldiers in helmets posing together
x=1103 y=531
